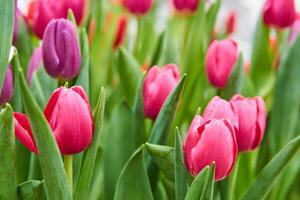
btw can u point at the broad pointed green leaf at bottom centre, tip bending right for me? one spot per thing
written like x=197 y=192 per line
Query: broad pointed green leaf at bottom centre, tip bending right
x=133 y=183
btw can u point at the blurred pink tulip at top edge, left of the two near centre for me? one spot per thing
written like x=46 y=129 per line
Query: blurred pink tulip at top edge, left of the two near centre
x=137 y=7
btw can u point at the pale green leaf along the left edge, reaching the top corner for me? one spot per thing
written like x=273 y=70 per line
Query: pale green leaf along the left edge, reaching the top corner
x=6 y=23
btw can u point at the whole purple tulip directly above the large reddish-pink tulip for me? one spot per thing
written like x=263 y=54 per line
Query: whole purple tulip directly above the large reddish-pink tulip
x=61 y=50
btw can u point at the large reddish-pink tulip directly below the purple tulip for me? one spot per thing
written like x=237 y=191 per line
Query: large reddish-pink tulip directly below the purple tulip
x=69 y=115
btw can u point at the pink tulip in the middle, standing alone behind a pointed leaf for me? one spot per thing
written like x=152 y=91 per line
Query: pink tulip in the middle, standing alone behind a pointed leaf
x=158 y=84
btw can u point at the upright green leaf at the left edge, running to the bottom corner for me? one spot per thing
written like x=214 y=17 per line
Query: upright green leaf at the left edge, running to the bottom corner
x=7 y=155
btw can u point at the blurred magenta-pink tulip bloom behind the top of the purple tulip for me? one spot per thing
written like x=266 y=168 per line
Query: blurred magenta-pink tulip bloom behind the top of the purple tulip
x=41 y=12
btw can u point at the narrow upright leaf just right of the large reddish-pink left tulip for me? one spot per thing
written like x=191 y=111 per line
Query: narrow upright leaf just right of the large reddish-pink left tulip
x=85 y=178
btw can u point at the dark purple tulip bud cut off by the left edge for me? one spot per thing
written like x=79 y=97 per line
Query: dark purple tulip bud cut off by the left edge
x=7 y=87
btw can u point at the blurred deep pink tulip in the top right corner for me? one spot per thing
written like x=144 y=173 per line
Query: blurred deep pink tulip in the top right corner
x=279 y=13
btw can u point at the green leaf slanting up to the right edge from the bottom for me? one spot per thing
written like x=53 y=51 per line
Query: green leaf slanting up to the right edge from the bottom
x=266 y=179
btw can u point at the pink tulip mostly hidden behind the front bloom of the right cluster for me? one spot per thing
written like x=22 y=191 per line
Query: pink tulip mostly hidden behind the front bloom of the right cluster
x=219 y=108
